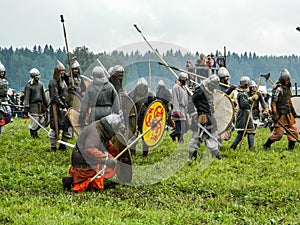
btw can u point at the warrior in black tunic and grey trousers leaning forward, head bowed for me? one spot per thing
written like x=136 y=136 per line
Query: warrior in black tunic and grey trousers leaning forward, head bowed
x=204 y=103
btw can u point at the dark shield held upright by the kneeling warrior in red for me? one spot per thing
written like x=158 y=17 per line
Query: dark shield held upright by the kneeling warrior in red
x=124 y=171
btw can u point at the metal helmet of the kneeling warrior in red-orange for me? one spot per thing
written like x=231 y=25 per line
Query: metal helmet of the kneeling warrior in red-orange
x=111 y=124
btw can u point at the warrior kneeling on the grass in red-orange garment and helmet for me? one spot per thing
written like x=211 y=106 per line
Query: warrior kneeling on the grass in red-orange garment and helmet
x=93 y=151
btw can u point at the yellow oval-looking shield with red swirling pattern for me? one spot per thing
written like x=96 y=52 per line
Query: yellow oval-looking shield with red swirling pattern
x=155 y=112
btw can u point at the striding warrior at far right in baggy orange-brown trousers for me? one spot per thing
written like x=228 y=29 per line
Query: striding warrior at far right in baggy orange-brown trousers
x=283 y=111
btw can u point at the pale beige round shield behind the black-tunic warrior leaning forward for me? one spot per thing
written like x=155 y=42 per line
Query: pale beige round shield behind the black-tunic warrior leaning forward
x=224 y=111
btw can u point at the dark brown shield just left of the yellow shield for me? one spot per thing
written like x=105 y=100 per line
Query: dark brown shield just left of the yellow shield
x=130 y=114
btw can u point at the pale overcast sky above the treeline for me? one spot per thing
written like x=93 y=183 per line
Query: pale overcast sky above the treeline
x=266 y=27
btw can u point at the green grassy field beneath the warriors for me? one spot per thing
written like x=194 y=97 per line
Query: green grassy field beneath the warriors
x=245 y=187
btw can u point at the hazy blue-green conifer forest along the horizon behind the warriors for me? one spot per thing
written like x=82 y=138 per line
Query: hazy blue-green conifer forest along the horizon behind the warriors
x=19 y=61
